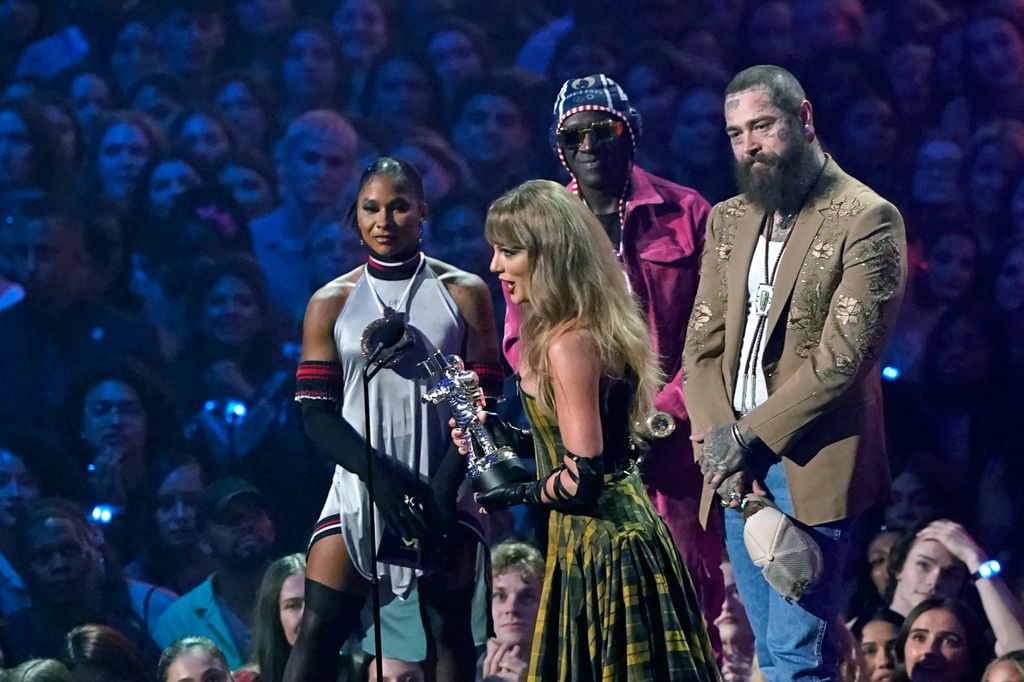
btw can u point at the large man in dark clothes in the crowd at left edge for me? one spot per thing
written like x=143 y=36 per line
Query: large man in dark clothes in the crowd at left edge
x=57 y=332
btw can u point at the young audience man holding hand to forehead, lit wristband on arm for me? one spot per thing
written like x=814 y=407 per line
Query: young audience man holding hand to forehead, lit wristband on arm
x=936 y=562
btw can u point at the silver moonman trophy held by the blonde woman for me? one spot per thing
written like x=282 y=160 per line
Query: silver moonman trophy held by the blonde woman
x=490 y=465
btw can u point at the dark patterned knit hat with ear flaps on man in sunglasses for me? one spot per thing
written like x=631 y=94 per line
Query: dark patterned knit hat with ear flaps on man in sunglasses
x=596 y=94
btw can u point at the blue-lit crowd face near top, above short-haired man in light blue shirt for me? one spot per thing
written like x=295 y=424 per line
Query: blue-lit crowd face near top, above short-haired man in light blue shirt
x=311 y=71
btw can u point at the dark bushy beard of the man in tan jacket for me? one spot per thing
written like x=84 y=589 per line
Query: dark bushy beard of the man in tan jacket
x=786 y=180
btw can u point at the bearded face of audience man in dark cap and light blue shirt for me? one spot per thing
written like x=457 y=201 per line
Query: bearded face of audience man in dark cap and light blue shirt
x=242 y=537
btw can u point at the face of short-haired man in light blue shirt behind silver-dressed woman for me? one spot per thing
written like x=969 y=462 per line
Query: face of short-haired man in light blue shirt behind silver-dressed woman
x=319 y=169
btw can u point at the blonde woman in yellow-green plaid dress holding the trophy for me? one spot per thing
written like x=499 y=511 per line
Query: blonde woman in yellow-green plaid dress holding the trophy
x=618 y=603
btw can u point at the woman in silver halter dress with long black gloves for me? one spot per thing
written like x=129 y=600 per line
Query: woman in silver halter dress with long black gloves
x=416 y=475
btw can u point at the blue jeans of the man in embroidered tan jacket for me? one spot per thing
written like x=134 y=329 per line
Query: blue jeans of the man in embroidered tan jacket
x=793 y=641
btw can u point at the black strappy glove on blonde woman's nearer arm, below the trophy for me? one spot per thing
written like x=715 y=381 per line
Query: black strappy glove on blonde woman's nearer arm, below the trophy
x=589 y=481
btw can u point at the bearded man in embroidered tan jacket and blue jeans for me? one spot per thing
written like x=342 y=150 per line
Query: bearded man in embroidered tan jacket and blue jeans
x=801 y=279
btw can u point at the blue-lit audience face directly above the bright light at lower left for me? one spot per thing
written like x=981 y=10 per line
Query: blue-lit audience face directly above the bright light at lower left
x=114 y=418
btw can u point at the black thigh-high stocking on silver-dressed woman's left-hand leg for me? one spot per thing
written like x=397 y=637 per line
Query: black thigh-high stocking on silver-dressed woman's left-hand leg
x=329 y=618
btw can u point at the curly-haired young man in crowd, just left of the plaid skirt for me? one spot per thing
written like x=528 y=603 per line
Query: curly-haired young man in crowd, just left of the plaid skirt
x=518 y=574
